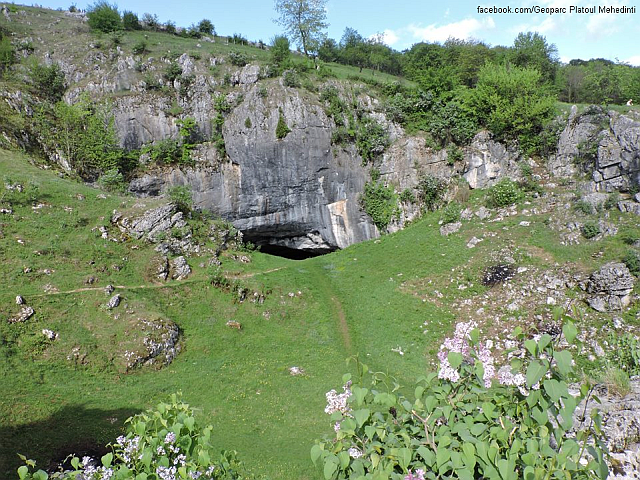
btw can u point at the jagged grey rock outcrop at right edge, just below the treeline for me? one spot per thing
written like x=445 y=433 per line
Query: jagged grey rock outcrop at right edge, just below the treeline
x=604 y=144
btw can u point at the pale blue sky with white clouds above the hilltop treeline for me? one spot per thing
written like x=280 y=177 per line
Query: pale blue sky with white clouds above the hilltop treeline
x=405 y=22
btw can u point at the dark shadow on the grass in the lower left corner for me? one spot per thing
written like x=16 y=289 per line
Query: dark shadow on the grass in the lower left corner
x=72 y=430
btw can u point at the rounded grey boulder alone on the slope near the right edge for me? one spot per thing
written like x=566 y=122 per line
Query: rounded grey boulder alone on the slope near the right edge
x=610 y=287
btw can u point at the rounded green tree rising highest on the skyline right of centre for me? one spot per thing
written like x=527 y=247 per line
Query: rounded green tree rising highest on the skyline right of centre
x=531 y=50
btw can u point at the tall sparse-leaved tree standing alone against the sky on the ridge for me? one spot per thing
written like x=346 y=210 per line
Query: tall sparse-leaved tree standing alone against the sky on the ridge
x=304 y=21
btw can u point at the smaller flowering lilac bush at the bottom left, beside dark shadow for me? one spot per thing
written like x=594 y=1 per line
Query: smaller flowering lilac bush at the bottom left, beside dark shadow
x=154 y=442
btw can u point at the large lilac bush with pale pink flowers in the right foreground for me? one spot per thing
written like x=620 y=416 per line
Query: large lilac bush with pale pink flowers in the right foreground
x=469 y=420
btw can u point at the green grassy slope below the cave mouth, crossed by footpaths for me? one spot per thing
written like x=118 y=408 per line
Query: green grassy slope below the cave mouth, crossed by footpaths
x=238 y=379
